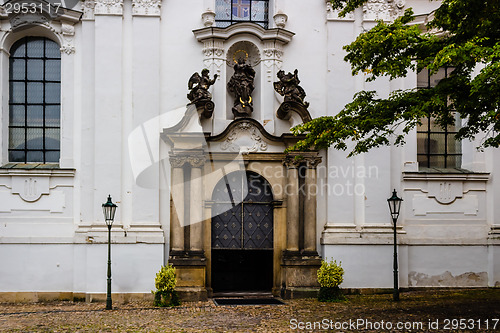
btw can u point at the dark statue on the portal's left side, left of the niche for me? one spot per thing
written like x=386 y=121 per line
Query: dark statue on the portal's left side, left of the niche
x=199 y=94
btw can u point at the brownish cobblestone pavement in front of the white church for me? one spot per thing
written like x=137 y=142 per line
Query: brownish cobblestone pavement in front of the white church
x=448 y=310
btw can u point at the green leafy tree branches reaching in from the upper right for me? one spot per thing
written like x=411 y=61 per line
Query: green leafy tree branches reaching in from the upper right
x=463 y=35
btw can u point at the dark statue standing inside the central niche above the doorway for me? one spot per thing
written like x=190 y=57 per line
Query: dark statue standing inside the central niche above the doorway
x=241 y=86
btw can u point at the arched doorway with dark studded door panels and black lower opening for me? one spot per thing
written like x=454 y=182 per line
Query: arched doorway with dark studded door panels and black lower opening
x=242 y=233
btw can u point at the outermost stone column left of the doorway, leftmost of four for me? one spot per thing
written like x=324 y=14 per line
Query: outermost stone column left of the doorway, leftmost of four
x=177 y=204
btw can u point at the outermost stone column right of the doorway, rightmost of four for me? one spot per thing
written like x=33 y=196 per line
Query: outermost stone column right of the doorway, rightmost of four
x=310 y=205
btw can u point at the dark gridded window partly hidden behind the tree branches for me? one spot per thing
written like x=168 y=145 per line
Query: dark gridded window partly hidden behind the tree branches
x=437 y=147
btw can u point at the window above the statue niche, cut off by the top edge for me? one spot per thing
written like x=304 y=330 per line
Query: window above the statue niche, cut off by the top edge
x=228 y=12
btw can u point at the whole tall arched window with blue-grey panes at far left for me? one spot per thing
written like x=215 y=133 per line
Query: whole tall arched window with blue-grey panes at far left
x=34 y=101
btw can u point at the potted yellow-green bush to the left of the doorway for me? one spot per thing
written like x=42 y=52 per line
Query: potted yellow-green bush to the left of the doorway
x=165 y=282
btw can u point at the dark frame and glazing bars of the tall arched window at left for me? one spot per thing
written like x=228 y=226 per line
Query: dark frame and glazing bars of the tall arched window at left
x=23 y=43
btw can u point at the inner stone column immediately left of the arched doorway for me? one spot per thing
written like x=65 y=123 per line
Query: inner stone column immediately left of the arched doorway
x=196 y=203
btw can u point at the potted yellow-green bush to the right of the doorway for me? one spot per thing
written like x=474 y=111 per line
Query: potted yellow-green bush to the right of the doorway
x=330 y=276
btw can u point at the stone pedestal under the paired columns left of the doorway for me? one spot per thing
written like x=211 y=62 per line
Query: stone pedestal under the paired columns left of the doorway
x=191 y=272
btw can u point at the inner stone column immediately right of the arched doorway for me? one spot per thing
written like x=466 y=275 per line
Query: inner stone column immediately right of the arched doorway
x=292 y=204
